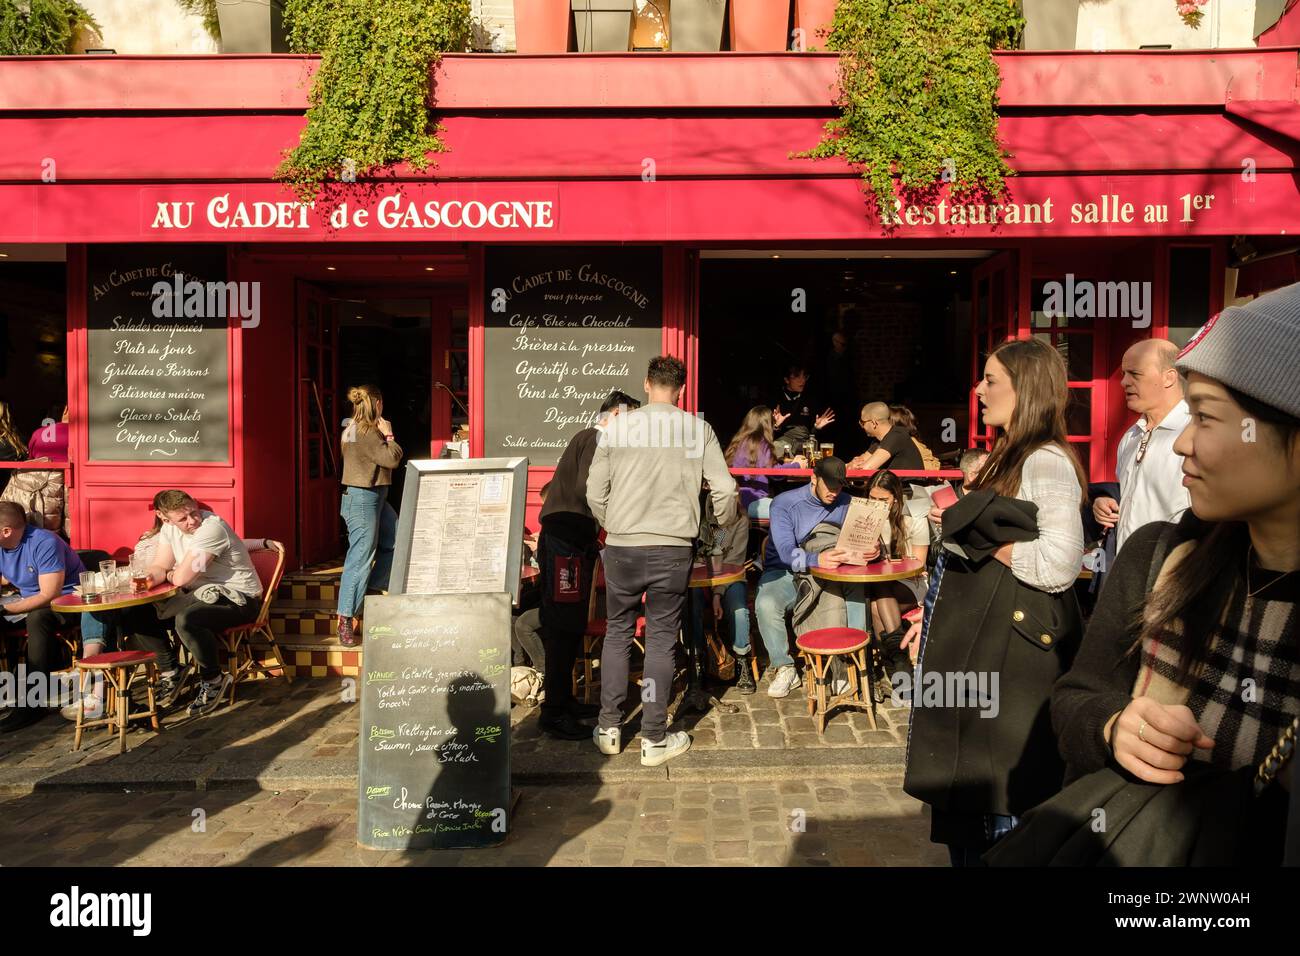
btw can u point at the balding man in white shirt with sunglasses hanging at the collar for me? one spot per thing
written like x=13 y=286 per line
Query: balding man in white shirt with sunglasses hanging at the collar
x=1151 y=475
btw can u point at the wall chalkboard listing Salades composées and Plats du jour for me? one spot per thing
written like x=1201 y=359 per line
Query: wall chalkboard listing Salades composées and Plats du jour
x=159 y=362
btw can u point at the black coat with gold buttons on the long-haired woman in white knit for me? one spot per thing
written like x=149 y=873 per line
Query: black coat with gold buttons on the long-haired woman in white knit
x=986 y=622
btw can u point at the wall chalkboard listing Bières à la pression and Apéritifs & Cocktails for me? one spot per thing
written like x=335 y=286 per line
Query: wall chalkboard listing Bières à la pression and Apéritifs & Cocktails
x=565 y=327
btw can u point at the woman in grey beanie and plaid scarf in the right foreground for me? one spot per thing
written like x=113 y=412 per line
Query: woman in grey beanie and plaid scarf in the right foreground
x=1188 y=686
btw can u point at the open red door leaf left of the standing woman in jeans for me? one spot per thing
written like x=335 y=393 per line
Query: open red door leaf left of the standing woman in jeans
x=319 y=429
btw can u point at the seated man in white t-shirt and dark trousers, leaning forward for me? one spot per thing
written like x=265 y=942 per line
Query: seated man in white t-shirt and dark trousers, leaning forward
x=198 y=552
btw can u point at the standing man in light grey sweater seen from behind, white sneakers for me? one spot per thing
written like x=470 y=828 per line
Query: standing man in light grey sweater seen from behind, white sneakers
x=644 y=490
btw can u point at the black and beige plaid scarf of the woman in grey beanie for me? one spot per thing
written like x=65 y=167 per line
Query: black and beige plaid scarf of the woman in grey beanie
x=1259 y=642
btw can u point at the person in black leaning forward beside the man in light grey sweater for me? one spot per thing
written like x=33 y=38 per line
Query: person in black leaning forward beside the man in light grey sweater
x=566 y=555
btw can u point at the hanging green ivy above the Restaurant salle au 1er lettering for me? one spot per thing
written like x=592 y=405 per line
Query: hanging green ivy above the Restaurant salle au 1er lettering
x=918 y=96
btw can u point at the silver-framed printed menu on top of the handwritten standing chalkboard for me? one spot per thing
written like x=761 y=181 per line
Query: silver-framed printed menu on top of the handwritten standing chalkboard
x=462 y=527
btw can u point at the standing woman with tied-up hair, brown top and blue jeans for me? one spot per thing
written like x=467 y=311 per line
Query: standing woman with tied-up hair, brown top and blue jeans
x=370 y=457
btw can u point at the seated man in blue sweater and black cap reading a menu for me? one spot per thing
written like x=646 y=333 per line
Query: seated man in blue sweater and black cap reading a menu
x=794 y=517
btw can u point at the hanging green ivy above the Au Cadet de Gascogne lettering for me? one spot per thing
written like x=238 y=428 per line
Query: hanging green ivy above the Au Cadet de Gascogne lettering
x=369 y=103
